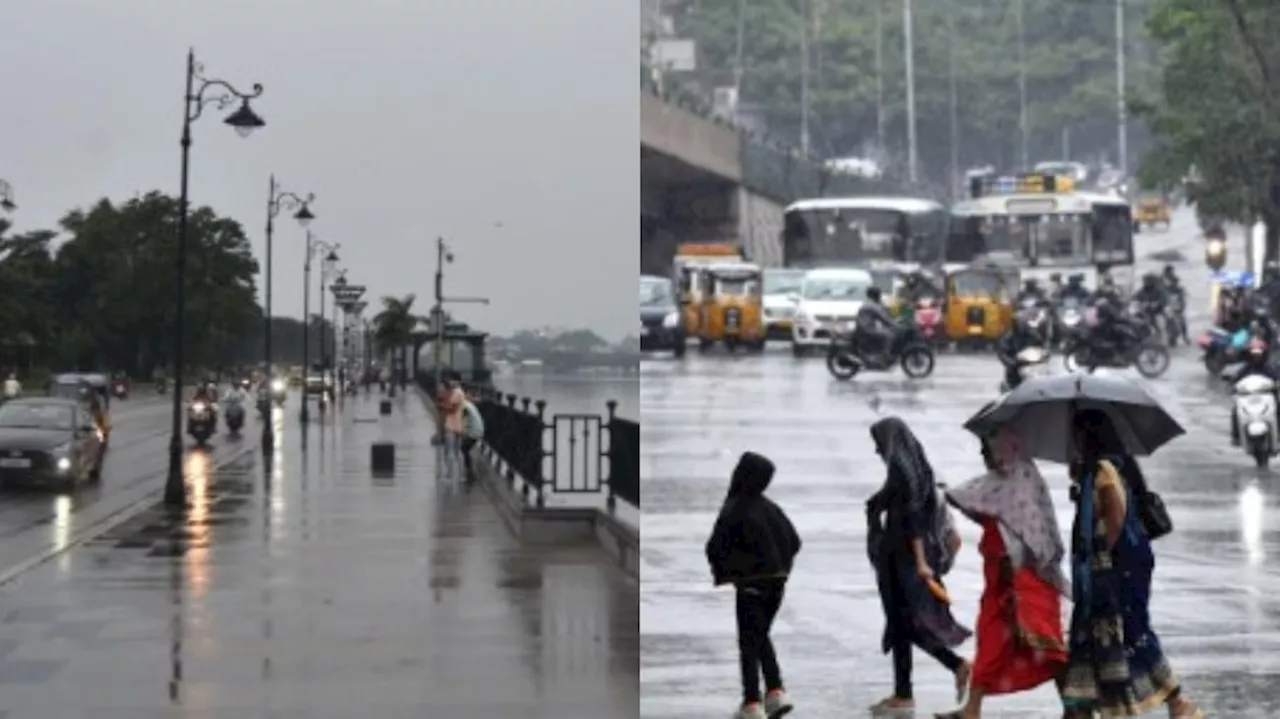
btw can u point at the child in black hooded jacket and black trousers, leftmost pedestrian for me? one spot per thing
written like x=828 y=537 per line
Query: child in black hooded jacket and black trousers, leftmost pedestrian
x=753 y=547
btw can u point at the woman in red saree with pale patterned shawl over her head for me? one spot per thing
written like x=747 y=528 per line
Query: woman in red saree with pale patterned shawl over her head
x=1020 y=619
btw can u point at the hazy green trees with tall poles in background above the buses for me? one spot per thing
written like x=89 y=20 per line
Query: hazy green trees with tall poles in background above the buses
x=1071 y=74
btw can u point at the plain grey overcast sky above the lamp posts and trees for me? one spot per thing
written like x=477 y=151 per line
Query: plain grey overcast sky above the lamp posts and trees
x=408 y=118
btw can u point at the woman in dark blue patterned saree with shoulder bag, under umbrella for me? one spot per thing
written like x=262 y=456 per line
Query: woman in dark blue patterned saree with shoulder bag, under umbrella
x=1117 y=666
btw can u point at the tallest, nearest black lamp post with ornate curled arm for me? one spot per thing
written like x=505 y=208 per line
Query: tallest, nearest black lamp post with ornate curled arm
x=245 y=121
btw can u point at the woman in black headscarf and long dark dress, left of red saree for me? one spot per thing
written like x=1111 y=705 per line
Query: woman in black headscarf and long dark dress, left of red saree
x=908 y=553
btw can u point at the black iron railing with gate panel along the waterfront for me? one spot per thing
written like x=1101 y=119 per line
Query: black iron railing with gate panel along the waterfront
x=565 y=454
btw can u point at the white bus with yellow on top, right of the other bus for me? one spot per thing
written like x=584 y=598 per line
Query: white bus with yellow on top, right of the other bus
x=1040 y=226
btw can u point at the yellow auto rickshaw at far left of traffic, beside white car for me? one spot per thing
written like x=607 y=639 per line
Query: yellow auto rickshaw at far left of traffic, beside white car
x=733 y=308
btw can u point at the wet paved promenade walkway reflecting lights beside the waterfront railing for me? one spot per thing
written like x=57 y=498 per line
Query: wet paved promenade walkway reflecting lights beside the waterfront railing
x=316 y=590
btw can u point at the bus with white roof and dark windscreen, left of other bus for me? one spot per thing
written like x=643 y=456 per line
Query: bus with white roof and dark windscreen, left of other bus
x=865 y=232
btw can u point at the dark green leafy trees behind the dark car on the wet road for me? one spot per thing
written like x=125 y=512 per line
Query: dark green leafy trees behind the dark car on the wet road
x=104 y=299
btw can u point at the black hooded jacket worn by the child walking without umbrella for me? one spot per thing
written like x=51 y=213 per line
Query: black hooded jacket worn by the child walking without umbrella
x=753 y=538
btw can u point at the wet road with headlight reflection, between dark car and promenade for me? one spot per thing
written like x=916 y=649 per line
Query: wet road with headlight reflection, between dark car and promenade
x=36 y=523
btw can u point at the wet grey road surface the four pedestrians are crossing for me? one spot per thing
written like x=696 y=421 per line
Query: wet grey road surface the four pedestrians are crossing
x=1217 y=588
